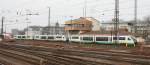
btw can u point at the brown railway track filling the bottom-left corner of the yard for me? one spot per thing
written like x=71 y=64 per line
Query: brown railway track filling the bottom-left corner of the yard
x=9 y=58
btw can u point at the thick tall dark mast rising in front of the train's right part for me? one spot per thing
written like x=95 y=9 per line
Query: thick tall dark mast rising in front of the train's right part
x=116 y=17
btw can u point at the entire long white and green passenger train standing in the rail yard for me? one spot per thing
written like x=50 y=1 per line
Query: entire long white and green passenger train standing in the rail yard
x=98 y=39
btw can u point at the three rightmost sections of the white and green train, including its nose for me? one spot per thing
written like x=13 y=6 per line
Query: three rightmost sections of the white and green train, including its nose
x=108 y=39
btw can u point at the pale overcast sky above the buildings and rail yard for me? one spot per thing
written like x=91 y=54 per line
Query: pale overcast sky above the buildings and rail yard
x=61 y=10
